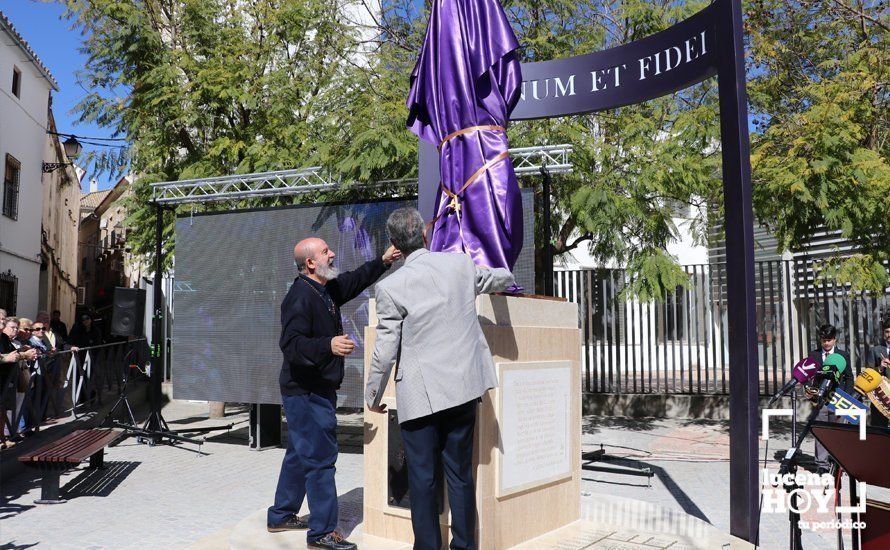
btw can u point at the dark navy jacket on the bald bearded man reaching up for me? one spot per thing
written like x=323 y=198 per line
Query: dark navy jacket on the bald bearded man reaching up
x=308 y=325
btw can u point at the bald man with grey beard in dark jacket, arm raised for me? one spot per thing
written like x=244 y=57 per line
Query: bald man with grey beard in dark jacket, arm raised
x=314 y=347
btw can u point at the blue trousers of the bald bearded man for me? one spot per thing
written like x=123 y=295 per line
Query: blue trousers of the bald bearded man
x=309 y=463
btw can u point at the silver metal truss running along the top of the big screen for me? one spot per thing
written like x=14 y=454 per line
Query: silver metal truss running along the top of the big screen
x=526 y=161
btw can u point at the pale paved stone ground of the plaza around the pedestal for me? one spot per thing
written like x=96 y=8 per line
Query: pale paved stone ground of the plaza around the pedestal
x=170 y=497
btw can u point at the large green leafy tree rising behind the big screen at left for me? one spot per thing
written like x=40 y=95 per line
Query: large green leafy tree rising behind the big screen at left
x=208 y=87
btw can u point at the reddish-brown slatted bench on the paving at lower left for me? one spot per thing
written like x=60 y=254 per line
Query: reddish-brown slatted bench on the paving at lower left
x=66 y=453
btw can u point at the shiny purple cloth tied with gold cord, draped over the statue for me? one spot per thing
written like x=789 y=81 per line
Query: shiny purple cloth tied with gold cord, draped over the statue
x=467 y=75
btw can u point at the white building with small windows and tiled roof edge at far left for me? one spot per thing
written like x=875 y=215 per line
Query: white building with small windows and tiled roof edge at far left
x=25 y=88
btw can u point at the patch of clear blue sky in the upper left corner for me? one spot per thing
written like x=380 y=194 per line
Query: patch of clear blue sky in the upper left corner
x=57 y=45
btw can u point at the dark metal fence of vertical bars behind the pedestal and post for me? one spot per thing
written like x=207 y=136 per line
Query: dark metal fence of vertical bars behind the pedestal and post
x=679 y=345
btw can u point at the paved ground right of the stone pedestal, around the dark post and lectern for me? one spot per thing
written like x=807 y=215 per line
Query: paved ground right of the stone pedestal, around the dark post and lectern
x=690 y=463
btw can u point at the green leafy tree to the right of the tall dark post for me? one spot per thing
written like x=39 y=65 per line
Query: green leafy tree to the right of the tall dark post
x=819 y=74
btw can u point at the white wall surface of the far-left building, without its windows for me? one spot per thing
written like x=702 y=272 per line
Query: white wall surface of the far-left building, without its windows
x=23 y=135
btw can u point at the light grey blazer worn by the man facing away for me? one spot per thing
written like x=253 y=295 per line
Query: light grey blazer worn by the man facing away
x=427 y=322
